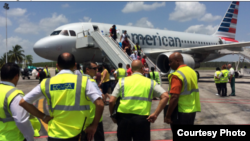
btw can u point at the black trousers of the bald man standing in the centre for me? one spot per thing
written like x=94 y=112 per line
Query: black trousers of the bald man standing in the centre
x=133 y=126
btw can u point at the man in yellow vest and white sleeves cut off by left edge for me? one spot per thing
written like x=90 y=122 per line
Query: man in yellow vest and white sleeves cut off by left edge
x=14 y=123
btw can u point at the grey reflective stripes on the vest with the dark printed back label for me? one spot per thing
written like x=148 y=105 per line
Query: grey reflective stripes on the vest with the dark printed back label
x=76 y=107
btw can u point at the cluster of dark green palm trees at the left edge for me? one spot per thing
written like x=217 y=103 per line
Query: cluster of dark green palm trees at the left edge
x=16 y=55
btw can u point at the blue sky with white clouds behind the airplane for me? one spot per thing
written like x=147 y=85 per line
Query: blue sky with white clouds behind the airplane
x=30 y=21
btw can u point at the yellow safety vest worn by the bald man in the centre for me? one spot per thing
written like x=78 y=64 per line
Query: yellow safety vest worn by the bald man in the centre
x=136 y=95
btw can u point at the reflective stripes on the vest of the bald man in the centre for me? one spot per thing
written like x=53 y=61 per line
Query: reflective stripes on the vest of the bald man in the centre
x=137 y=98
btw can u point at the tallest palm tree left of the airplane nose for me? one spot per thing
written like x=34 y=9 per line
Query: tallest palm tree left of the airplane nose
x=16 y=54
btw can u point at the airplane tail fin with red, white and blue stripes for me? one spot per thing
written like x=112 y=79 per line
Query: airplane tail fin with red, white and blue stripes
x=227 y=28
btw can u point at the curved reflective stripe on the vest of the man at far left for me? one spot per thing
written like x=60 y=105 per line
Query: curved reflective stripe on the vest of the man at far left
x=5 y=107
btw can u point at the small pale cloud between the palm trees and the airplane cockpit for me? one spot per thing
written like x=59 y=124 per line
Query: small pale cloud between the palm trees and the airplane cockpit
x=27 y=28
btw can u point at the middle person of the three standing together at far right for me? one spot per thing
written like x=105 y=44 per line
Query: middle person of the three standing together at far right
x=224 y=80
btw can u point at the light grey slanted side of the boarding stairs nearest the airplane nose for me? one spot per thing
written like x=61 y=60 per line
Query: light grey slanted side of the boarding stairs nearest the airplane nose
x=111 y=49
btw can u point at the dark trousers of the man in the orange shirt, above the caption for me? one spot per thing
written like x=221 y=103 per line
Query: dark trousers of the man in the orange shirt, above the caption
x=184 y=119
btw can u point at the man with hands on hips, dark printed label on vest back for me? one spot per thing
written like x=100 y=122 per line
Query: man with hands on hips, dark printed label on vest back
x=67 y=96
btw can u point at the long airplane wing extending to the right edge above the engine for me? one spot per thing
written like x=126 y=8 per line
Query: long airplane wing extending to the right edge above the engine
x=204 y=49
